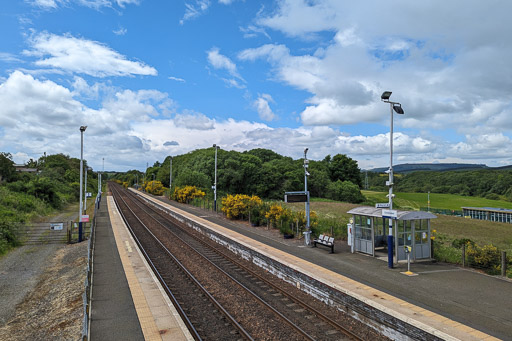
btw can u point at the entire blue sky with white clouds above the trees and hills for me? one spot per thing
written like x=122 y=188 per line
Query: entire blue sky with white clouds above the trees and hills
x=153 y=78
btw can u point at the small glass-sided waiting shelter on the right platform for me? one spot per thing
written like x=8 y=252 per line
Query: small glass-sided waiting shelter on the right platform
x=411 y=228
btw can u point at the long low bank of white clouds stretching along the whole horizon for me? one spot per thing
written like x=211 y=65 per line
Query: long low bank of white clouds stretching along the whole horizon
x=42 y=116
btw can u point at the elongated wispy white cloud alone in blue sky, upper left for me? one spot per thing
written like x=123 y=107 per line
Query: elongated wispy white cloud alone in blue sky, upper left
x=75 y=54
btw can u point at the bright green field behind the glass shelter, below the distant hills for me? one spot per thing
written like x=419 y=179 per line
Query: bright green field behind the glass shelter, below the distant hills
x=413 y=201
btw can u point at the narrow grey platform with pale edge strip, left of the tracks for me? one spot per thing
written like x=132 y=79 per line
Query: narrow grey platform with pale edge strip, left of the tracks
x=127 y=301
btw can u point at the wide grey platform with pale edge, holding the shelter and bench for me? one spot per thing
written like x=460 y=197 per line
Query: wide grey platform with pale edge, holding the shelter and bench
x=446 y=301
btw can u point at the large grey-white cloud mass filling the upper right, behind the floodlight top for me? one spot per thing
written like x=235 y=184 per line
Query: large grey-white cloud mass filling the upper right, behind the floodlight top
x=441 y=75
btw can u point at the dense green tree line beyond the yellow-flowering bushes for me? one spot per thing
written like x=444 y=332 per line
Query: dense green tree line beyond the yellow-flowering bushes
x=260 y=172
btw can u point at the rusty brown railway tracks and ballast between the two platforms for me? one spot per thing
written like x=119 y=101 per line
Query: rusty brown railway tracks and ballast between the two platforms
x=221 y=296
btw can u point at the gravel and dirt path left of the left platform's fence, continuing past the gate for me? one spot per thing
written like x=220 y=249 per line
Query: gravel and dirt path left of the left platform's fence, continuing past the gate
x=41 y=290
